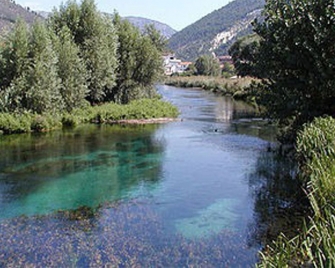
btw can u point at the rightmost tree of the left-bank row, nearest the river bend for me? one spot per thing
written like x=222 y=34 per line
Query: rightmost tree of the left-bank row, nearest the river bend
x=140 y=63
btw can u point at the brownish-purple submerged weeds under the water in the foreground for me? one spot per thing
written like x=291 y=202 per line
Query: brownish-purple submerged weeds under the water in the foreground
x=122 y=235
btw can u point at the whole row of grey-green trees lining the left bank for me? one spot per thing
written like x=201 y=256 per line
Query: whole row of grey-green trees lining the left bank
x=78 y=57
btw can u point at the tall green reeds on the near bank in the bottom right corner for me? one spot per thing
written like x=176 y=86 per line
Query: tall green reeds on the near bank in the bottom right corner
x=315 y=246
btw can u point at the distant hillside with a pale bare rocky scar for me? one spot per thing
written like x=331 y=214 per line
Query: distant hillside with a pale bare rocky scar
x=216 y=31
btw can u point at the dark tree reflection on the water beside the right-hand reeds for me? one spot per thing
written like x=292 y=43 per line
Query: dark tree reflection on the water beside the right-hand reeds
x=279 y=199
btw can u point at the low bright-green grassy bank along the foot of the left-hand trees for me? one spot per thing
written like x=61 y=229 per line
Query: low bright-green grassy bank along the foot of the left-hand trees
x=107 y=113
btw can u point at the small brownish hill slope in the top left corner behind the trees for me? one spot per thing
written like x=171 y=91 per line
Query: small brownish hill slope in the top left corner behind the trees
x=10 y=12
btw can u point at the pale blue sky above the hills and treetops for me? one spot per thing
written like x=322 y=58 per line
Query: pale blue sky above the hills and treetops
x=176 y=13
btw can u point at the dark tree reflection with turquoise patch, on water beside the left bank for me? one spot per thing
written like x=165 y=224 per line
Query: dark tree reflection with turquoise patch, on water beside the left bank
x=66 y=170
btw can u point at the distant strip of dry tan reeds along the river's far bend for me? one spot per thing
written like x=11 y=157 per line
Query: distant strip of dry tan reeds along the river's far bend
x=236 y=87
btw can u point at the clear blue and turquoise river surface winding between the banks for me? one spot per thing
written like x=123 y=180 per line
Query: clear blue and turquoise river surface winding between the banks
x=179 y=194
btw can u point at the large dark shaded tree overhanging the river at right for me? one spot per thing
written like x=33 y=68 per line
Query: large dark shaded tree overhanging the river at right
x=295 y=60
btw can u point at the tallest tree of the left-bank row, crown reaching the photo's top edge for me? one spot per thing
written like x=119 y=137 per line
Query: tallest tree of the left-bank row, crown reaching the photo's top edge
x=94 y=34
